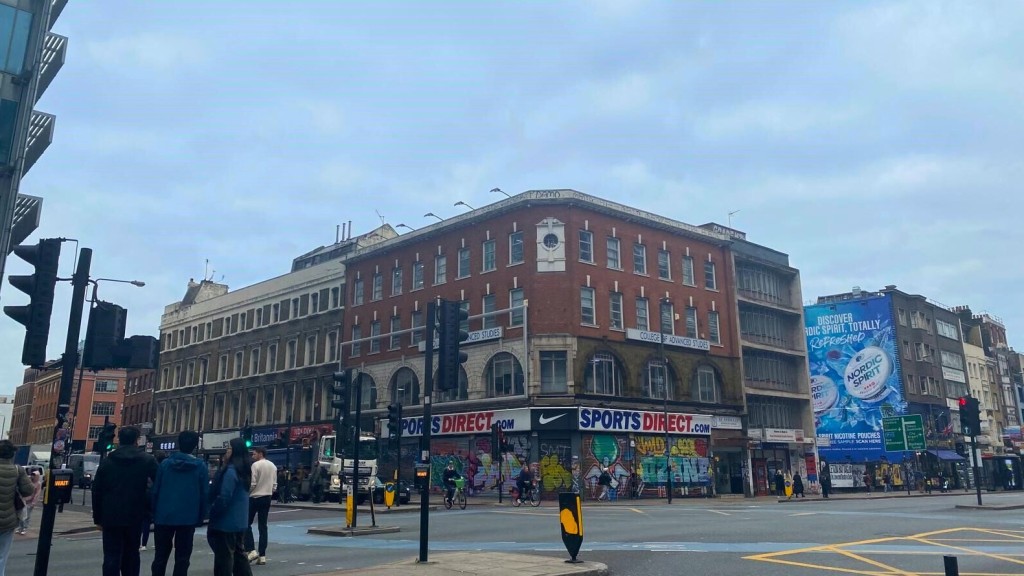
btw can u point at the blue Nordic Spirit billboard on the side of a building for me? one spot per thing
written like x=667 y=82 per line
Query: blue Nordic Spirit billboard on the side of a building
x=856 y=378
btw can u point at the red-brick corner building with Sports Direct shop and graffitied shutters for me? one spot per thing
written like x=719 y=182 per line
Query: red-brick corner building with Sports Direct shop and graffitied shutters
x=571 y=300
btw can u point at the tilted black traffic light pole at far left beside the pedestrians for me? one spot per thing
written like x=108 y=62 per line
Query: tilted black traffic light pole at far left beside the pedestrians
x=70 y=360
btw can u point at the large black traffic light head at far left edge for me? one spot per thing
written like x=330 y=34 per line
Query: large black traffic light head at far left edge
x=36 y=316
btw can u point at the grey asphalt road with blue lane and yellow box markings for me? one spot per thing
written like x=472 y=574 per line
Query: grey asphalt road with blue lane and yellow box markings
x=740 y=538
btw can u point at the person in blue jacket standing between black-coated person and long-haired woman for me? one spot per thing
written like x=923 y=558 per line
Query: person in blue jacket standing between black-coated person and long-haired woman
x=180 y=502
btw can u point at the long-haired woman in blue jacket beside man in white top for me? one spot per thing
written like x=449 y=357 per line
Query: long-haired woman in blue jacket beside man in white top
x=230 y=511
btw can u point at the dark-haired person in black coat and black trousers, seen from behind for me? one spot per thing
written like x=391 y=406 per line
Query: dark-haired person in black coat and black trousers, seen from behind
x=120 y=503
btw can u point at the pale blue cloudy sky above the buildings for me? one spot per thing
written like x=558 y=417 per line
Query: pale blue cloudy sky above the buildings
x=875 y=143
